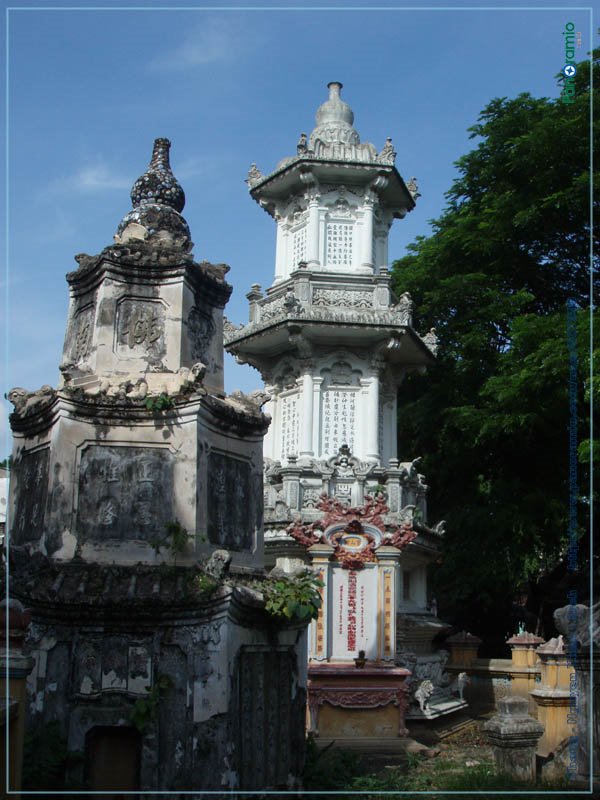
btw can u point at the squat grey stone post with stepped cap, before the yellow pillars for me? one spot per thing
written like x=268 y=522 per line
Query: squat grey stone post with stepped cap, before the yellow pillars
x=513 y=735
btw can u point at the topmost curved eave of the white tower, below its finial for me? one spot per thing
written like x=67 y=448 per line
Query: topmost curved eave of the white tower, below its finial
x=284 y=182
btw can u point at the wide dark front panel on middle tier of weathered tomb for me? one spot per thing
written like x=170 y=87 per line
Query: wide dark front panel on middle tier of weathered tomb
x=124 y=492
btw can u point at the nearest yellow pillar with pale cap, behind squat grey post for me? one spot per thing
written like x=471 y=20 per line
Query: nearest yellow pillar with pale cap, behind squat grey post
x=552 y=695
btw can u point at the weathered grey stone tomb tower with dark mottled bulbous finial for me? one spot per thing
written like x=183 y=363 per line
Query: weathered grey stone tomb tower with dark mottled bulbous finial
x=136 y=506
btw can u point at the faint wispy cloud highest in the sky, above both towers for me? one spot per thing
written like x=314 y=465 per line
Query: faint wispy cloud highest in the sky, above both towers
x=214 y=40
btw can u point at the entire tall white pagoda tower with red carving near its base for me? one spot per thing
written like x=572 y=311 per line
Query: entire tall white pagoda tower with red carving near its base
x=333 y=344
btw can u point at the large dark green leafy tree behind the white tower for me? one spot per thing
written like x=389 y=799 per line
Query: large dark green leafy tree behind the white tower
x=492 y=417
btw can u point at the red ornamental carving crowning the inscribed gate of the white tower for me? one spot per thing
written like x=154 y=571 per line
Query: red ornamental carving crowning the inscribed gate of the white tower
x=354 y=517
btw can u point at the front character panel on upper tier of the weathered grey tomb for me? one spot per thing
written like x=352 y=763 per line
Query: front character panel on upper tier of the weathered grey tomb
x=140 y=328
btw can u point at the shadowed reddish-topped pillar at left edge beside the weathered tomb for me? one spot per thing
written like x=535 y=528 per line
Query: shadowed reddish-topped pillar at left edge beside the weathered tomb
x=16 y=667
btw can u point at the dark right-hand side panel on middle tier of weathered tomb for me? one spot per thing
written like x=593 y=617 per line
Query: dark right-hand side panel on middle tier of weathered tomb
x=231 y=506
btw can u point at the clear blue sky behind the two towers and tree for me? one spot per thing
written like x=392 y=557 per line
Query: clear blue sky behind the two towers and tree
x=89 y=90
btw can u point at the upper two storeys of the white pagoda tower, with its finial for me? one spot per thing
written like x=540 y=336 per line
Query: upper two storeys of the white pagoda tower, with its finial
x=329 y=337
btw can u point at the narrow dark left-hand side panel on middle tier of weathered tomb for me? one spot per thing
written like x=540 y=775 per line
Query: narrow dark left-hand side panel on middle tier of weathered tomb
x=30 y=474
